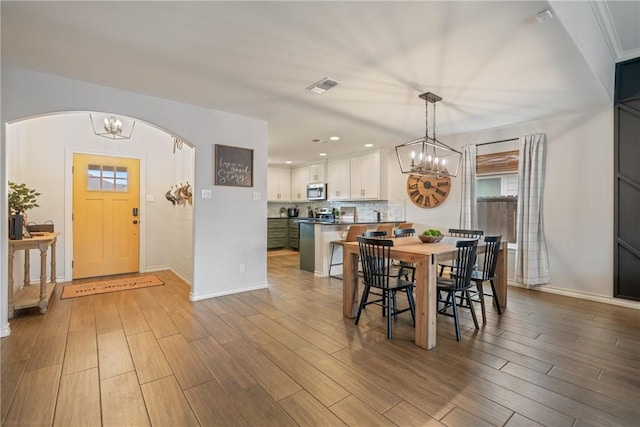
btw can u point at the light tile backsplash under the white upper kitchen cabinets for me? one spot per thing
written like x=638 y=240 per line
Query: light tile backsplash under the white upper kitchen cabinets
x=390 y=210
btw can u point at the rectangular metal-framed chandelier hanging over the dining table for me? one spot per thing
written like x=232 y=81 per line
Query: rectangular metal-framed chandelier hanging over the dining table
x=427 y=155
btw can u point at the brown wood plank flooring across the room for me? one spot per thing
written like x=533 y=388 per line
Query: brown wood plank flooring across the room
x=286 y=356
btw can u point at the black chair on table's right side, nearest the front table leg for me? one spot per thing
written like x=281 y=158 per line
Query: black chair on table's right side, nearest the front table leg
x=458 y=284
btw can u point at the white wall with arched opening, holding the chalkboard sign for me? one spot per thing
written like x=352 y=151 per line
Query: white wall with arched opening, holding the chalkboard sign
x=219 y=248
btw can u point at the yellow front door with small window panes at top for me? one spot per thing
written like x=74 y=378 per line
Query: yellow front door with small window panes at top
x=106 y=217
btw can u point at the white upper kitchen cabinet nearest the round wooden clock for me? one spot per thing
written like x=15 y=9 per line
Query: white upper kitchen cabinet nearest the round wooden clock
x=368 y=177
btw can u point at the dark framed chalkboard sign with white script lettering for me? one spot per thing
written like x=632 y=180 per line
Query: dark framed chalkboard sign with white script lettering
x=233 y=166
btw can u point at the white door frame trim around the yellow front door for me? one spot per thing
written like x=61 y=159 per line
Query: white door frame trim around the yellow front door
x=68 y=207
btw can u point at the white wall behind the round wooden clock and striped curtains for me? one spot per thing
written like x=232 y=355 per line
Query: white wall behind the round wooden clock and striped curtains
x=578 y=199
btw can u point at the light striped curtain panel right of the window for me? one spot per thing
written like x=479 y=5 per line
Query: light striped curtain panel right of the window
x=532 y=262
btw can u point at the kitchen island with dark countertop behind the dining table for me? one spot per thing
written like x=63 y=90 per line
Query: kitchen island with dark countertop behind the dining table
x=315 y=238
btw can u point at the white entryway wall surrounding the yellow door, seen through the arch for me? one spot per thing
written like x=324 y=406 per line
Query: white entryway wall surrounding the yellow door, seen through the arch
x=40 y=154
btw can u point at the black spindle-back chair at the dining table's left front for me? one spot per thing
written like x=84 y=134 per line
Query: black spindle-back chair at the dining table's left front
x=376 y=266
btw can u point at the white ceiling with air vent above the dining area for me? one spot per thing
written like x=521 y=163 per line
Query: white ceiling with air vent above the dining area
x=492 y=62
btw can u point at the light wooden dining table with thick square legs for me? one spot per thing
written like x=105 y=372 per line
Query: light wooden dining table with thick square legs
x=425 y=257
